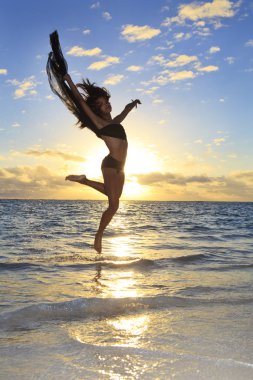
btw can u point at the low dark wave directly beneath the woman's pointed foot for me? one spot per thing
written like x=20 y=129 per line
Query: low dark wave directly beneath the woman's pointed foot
x=81 y=263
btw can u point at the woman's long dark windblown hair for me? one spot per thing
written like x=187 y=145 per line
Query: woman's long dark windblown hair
x=91 y=93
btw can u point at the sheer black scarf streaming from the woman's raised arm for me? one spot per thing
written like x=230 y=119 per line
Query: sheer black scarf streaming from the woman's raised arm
x=57 y=67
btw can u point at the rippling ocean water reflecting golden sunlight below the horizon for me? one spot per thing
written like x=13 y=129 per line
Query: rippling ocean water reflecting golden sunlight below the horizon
x=170 y=297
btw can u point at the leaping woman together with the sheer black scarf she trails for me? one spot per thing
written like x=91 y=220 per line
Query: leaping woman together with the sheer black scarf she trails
x=92 y=108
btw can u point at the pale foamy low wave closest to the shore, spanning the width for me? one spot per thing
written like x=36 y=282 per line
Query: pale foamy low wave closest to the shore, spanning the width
x=82 y=308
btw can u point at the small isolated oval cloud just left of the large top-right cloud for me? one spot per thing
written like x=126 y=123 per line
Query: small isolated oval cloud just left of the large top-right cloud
x=133 y=33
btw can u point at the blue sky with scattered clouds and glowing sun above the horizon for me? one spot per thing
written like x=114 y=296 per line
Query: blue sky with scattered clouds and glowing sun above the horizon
x=190 y=64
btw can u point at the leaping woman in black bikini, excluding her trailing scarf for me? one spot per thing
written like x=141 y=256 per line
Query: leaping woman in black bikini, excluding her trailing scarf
x=95 y=104
